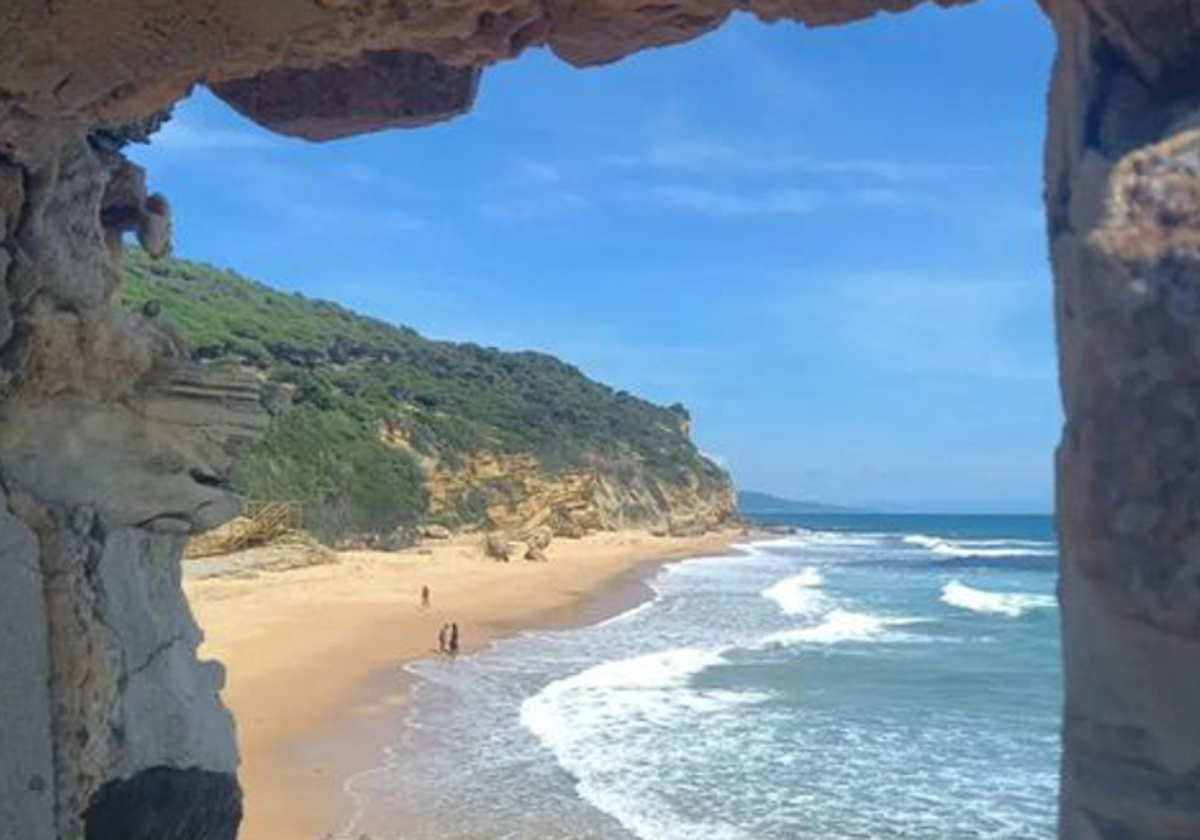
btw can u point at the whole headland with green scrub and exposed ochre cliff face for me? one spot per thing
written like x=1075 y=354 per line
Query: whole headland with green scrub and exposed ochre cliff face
x=379 y=428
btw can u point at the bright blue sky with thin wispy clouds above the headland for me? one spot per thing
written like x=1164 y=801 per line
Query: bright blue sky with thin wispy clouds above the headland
x=829 y=244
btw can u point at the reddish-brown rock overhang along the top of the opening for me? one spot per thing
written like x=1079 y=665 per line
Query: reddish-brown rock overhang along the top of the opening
x=110 y=64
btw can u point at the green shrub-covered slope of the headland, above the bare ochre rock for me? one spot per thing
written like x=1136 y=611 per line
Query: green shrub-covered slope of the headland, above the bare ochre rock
x=351 y=377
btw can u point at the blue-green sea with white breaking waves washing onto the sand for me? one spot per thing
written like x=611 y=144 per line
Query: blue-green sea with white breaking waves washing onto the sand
x=867 y=677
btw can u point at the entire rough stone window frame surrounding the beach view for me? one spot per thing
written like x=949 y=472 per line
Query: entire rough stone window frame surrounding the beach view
x=113 y=448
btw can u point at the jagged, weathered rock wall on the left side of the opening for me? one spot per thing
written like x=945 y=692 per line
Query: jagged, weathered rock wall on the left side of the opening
x=113 y=448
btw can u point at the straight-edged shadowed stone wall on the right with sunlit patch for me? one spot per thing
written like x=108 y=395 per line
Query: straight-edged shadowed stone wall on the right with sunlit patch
x=1124 y=206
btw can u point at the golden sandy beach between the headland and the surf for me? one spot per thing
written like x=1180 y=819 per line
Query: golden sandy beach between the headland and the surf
x=315 y=652
